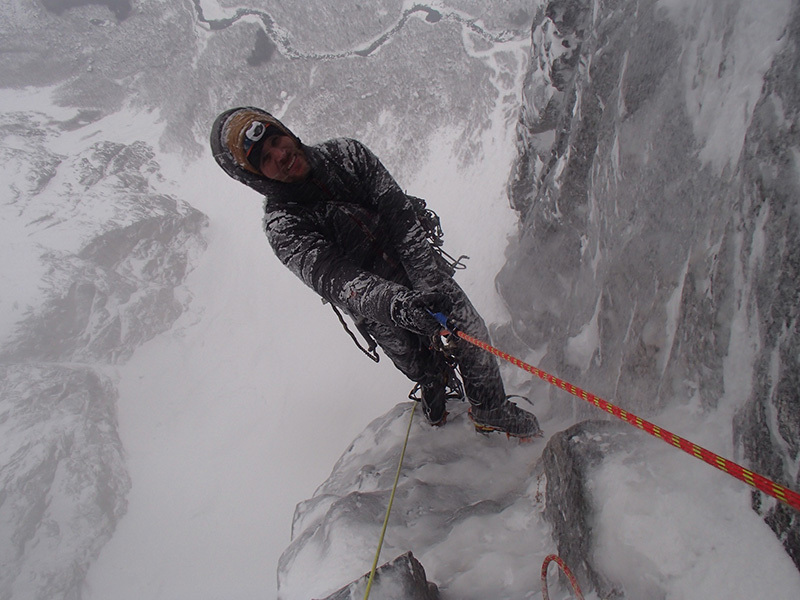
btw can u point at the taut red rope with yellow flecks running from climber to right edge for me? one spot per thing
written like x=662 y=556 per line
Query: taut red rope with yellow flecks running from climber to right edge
x=776 y=490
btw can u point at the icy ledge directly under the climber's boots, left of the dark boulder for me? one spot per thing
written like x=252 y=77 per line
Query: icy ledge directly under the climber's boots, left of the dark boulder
x=469 y=506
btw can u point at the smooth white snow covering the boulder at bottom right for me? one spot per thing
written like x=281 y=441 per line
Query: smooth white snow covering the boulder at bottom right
x=671 y=523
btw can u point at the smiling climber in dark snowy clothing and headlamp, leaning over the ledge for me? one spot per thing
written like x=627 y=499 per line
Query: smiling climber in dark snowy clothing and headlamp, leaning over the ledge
x=338 y=220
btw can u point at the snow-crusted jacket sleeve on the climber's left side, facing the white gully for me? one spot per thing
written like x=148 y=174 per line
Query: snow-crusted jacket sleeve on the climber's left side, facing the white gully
x=319 y=264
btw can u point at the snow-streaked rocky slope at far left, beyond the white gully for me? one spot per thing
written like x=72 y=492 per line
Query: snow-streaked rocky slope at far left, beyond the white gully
x=107 y=251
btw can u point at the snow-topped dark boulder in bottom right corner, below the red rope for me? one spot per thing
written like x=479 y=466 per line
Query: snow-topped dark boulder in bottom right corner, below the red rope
x=635 y=518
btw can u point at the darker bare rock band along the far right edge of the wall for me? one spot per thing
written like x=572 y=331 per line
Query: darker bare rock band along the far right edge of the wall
x=768 y=426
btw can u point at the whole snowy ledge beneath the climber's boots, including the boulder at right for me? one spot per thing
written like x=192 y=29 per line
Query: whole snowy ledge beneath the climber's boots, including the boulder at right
x=632 y=516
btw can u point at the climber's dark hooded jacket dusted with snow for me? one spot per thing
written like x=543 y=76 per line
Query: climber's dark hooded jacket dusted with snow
x=347 y=231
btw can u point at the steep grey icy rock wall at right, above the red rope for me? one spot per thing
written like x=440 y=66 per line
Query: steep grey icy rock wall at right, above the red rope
x=657 y=188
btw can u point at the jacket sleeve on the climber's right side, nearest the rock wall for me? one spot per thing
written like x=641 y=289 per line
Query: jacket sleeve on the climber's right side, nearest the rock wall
x=406 y=235
